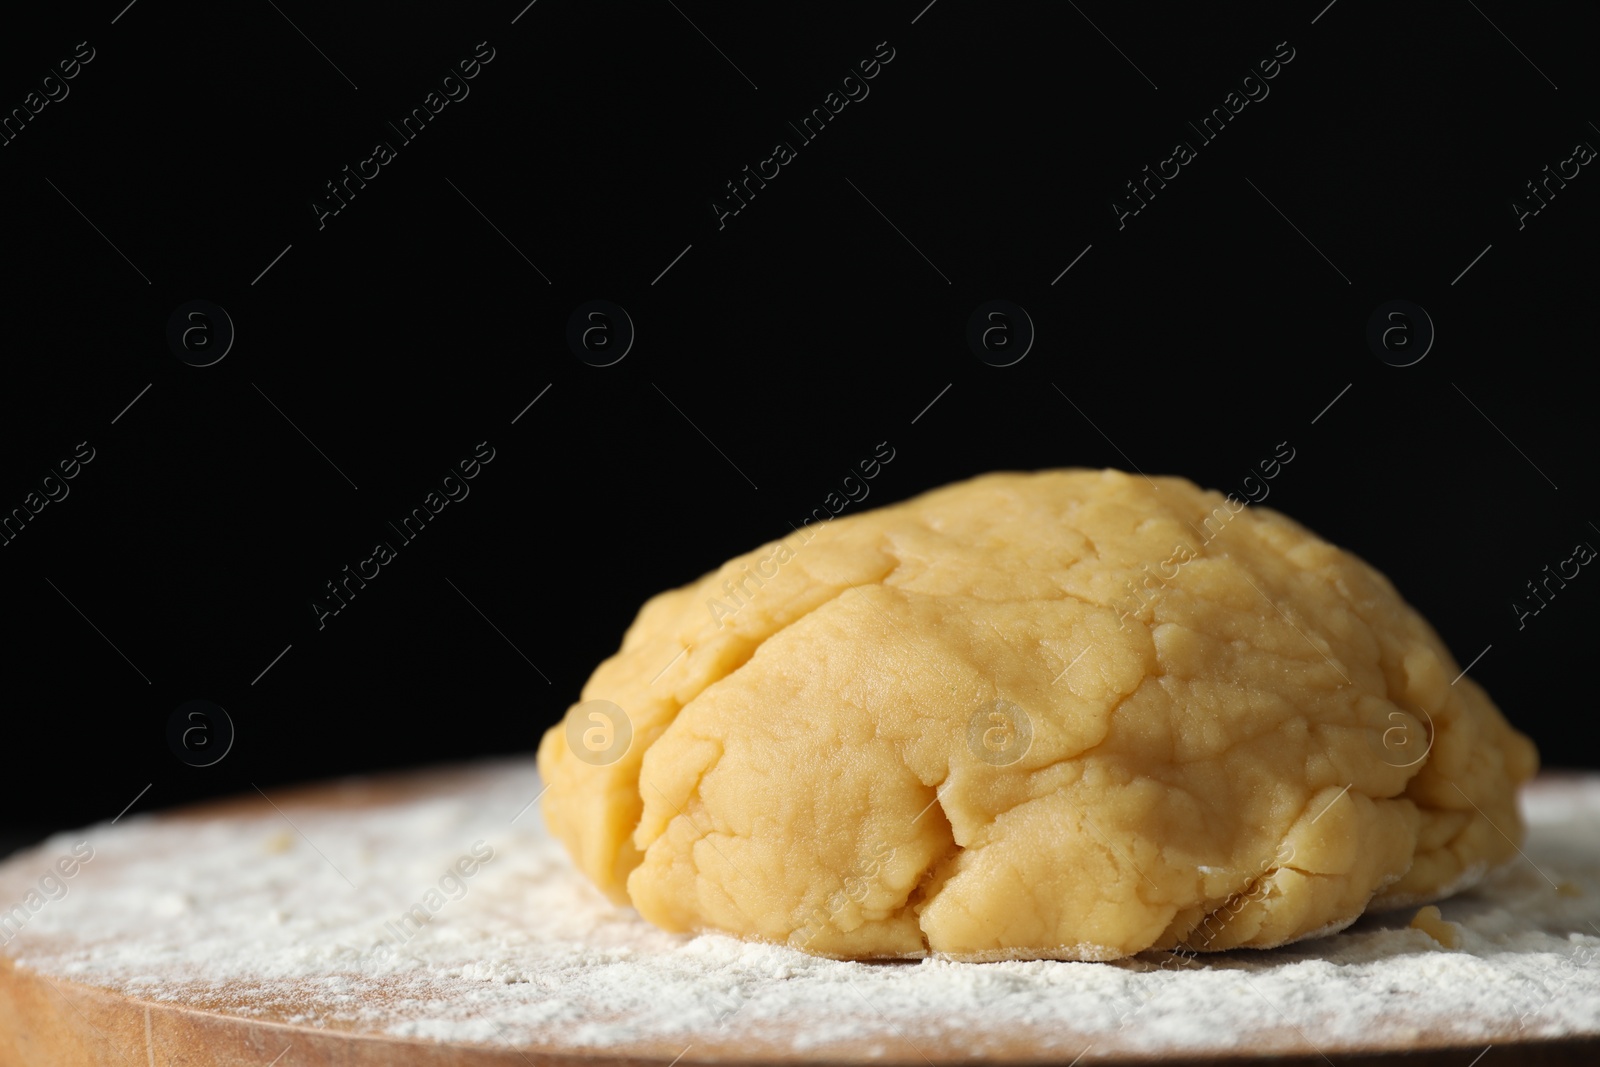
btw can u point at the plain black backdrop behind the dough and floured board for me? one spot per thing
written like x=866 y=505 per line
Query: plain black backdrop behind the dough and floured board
x=774 y=354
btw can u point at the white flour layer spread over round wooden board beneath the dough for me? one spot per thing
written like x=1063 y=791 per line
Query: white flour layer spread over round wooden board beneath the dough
x=233 y=911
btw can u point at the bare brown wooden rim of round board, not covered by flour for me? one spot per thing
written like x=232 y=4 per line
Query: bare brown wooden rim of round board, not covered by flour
x=50 y=1015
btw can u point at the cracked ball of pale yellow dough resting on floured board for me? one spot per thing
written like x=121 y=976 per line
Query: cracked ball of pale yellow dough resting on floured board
x=1066 y=716
